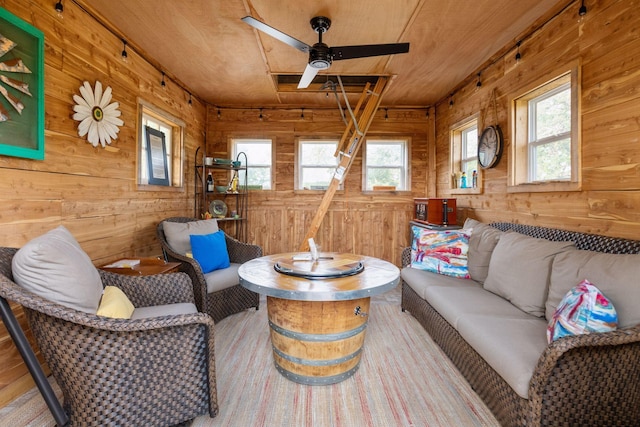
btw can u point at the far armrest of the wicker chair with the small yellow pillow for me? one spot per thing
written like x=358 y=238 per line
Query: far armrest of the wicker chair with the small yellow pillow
x=146 y=291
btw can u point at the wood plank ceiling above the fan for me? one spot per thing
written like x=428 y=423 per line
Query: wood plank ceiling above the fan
x=223 y=61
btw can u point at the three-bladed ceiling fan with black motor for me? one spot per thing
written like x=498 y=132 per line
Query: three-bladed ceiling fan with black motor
x=321 y=55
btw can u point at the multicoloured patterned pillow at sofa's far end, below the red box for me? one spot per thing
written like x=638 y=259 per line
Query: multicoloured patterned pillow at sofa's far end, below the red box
x=442 y=252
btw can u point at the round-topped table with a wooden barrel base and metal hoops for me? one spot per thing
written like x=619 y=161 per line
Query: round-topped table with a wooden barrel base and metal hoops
x=318 y=310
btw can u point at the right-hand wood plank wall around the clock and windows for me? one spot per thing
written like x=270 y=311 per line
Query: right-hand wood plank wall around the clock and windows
x=607 y=44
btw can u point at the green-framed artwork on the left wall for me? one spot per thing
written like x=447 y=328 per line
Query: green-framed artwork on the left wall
x=21 y=88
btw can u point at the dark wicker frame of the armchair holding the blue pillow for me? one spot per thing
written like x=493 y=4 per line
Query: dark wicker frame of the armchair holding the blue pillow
x=225 y=302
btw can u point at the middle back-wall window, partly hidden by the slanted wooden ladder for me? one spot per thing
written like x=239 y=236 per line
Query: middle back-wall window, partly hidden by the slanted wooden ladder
x=316 y=163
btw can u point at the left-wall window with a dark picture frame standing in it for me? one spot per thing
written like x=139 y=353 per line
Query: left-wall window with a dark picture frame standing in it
x=166 y=148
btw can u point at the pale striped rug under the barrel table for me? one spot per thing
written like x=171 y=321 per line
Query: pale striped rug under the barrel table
x=404 y=379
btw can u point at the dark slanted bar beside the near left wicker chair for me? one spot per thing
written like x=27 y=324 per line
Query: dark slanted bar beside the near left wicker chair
x=32 y=363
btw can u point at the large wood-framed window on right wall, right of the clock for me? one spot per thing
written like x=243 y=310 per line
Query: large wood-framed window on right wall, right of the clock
x=547 y=144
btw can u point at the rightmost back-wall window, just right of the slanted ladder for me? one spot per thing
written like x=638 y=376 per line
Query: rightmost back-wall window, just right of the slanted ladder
x=386 y=165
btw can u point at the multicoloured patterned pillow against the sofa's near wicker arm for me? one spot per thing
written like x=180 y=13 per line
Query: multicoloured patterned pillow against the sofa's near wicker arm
x=584 y=309
